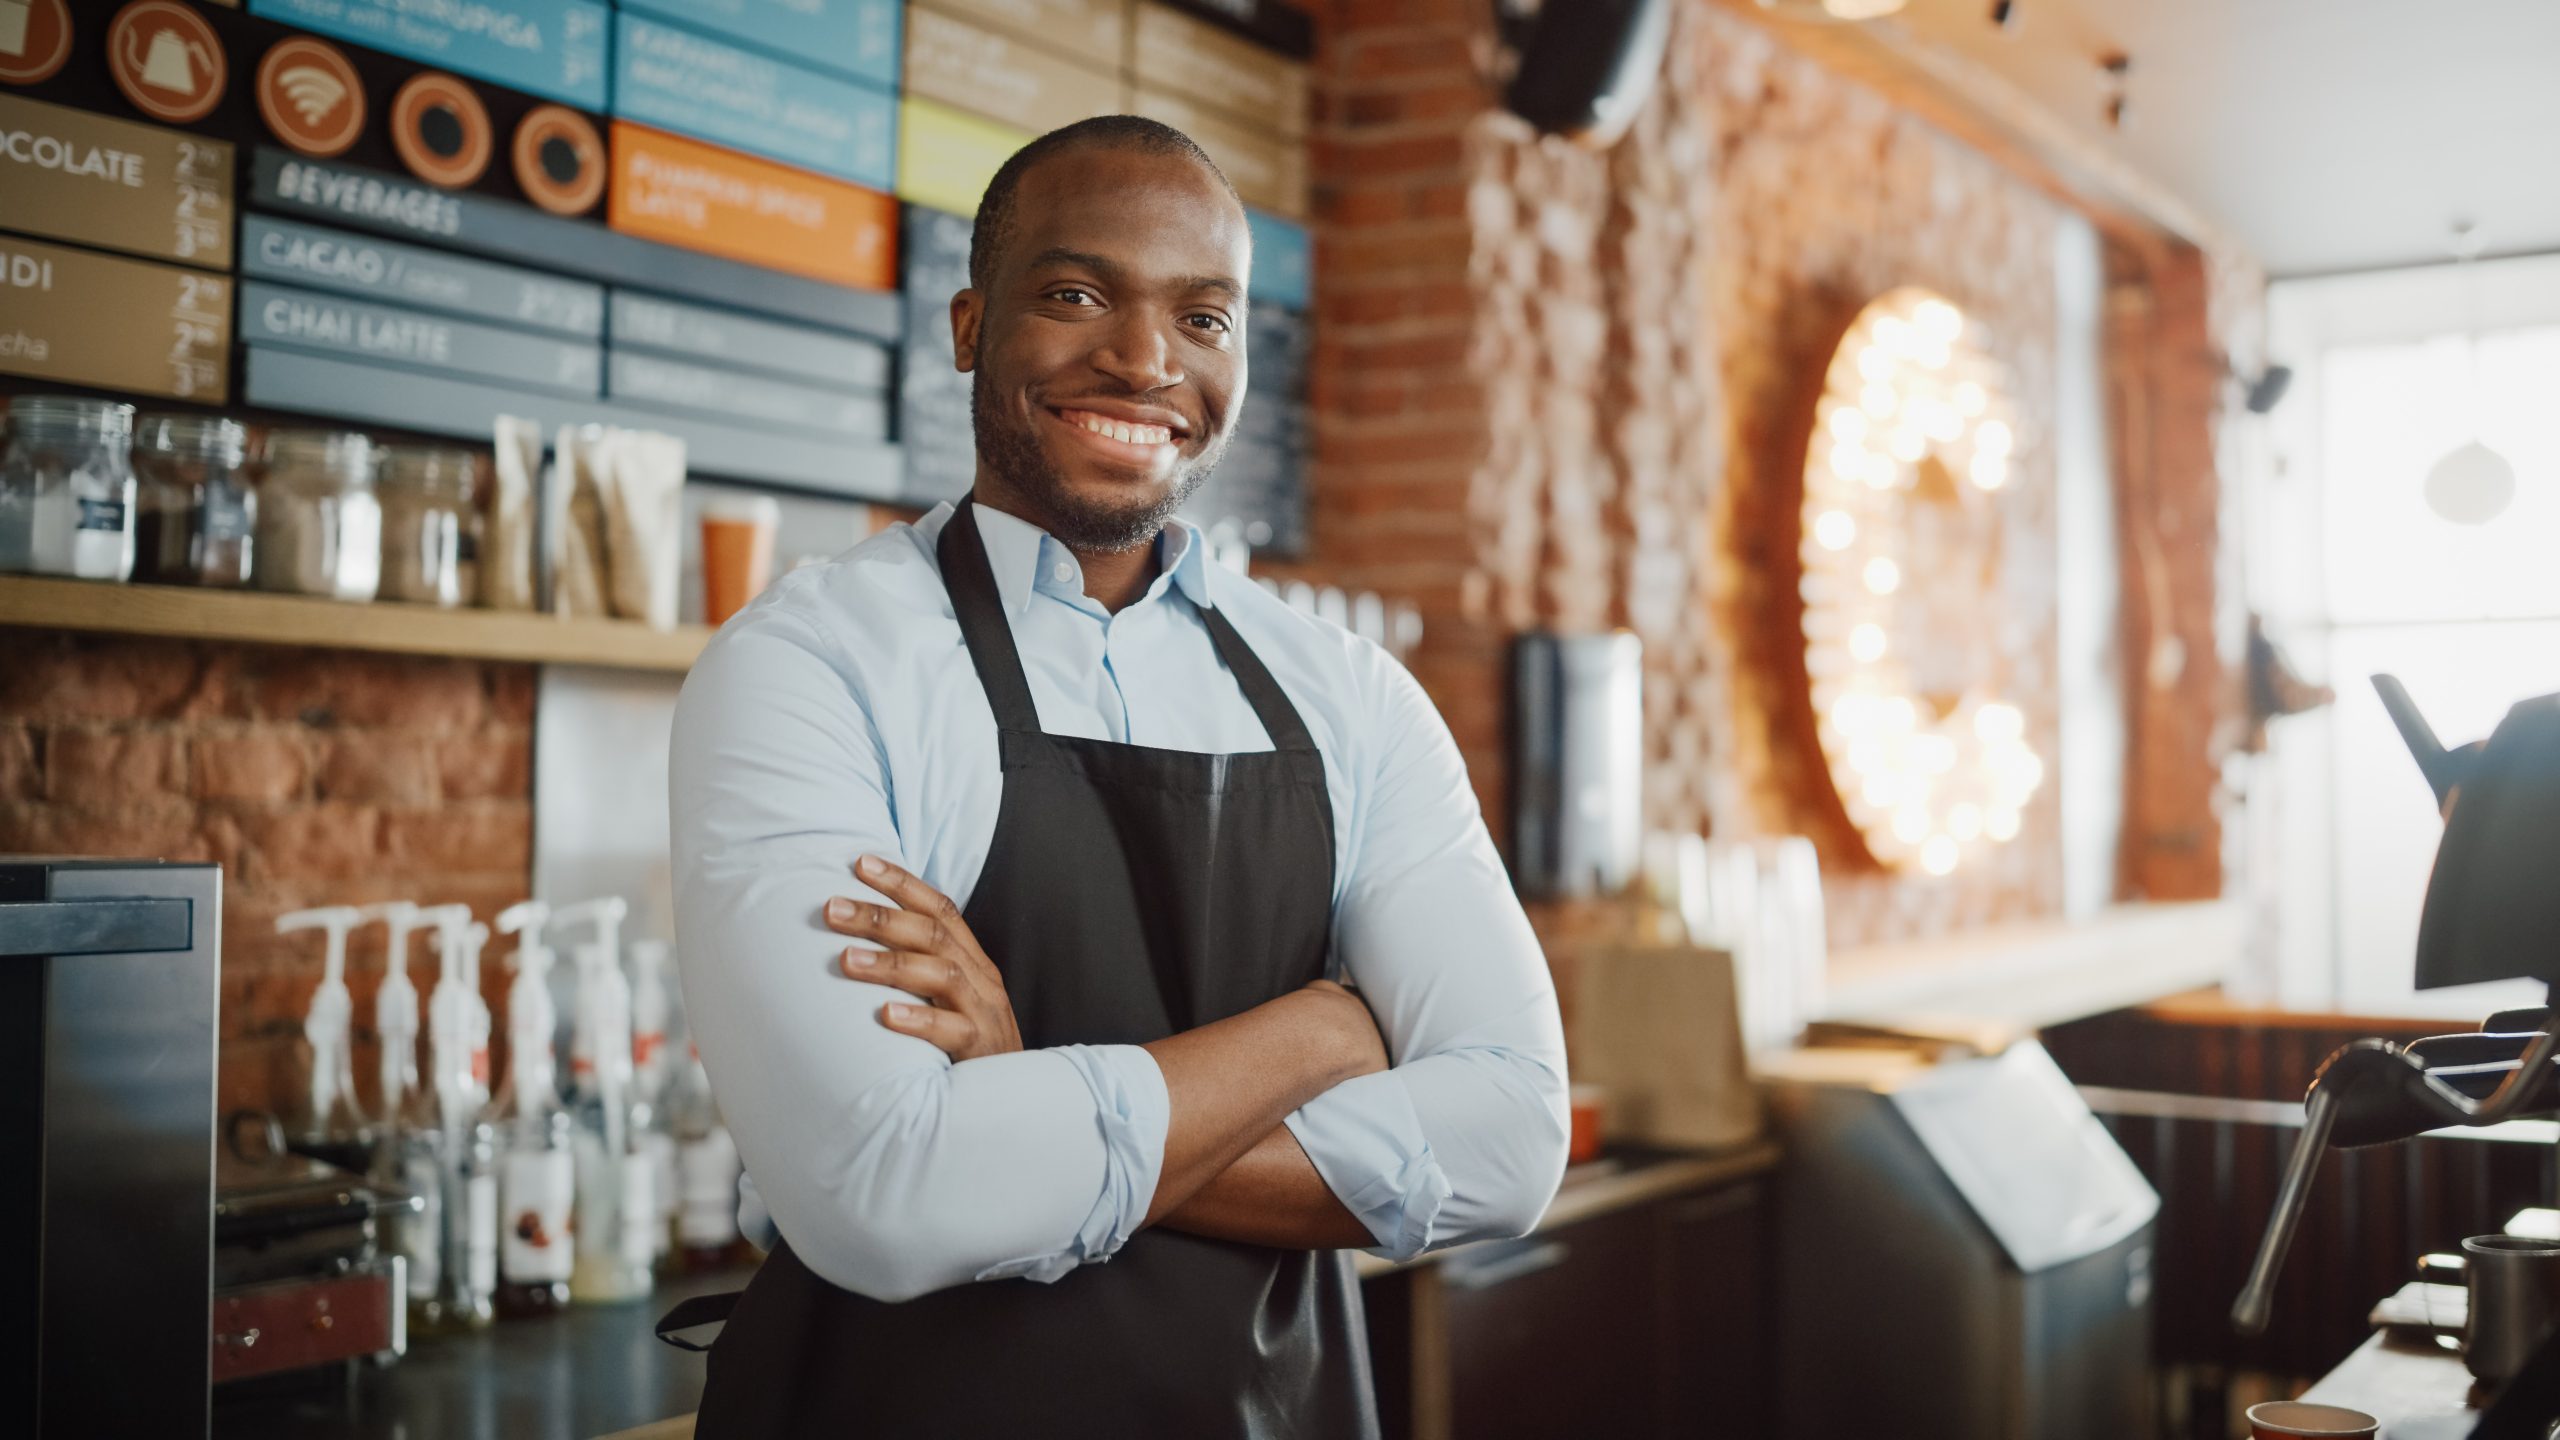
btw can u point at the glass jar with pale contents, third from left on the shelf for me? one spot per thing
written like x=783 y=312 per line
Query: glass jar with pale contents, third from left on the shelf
x=319 y=519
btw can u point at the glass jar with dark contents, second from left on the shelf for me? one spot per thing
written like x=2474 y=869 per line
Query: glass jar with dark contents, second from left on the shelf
x=193 y=509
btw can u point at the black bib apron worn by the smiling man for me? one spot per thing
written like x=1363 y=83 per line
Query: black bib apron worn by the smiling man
x=1128 y=896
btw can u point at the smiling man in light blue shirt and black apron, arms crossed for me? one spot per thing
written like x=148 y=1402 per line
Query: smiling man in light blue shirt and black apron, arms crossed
x=1020 y=855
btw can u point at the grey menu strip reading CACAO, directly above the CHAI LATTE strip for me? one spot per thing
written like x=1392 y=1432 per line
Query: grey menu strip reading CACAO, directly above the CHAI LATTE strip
x=429 y=281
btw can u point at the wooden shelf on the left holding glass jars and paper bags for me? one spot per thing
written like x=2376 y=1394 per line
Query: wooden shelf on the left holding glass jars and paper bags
x=342 y=626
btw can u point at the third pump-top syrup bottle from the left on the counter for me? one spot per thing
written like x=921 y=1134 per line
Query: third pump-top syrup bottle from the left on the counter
x=467 y=1175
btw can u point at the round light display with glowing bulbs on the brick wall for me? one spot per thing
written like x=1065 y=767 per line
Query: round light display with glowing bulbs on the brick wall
x=1901 y=544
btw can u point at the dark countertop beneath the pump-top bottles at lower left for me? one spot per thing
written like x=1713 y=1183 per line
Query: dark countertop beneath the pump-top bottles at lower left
x=562 y=1377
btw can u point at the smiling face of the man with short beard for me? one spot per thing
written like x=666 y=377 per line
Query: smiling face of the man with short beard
x=1107 y=350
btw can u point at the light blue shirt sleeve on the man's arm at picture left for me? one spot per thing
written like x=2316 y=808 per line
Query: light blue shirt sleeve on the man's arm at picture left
x=887 y=1167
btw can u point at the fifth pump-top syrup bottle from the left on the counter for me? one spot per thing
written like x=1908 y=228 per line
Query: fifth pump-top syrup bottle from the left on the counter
x=618 y=1206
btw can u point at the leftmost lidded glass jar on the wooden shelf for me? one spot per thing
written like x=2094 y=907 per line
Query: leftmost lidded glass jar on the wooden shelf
x=68 y=488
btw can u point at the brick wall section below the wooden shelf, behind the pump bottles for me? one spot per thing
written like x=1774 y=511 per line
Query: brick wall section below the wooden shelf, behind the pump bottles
x=314 y=778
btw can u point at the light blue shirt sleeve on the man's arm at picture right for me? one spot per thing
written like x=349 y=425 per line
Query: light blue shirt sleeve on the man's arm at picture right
x=1466 y=1136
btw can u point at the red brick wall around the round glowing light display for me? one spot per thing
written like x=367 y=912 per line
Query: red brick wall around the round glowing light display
x=1555 y=388
